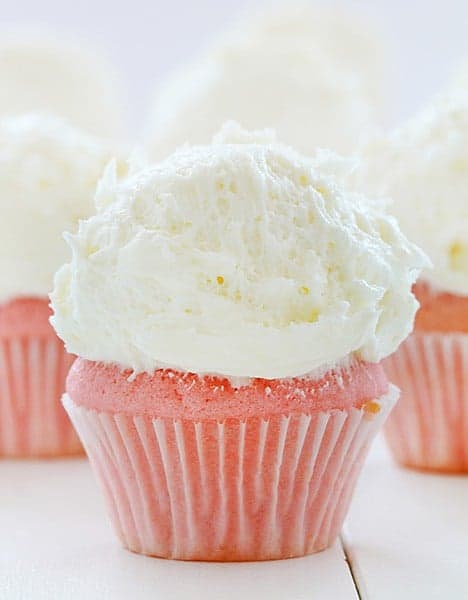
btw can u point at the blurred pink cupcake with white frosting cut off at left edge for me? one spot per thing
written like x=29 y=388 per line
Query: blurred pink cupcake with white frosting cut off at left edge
x=48 y=172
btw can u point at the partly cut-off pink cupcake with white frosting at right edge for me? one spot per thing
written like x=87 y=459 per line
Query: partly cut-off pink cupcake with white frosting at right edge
x=423 y=167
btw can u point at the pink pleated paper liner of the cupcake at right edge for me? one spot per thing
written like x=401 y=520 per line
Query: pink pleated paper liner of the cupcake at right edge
x=429 y=427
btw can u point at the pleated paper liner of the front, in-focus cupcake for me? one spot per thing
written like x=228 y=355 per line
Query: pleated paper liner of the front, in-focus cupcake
x=250 y=489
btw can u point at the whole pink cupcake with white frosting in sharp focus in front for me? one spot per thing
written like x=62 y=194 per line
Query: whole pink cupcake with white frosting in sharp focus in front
x=229 y=307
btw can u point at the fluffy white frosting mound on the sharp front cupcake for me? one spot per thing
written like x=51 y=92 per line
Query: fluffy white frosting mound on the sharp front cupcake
x=240 y=258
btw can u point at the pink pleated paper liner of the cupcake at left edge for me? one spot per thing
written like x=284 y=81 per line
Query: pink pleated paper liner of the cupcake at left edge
x=32 y=379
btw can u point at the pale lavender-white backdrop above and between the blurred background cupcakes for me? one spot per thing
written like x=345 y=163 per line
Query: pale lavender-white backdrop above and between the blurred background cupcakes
x=146 y=38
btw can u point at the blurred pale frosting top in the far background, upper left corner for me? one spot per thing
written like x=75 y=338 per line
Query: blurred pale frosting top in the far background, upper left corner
x=43 y=73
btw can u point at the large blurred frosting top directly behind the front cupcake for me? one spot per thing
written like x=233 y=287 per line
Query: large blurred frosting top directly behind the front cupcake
x=314 y=75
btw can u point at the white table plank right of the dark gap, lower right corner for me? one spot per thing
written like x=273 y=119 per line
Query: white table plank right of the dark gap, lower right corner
x=406 y=535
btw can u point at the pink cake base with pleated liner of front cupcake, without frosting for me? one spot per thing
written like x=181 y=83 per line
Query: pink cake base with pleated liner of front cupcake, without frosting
x=195 y=469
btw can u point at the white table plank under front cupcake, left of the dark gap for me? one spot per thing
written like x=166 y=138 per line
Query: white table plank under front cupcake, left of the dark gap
x=56 y=542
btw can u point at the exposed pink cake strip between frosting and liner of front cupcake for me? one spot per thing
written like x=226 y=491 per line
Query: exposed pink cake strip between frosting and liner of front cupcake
x=172 y=394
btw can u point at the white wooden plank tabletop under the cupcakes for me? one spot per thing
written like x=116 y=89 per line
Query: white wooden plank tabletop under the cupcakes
x=406 y=537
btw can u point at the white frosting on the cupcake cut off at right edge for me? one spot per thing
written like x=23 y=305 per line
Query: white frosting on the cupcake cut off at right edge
x=423 y=168
